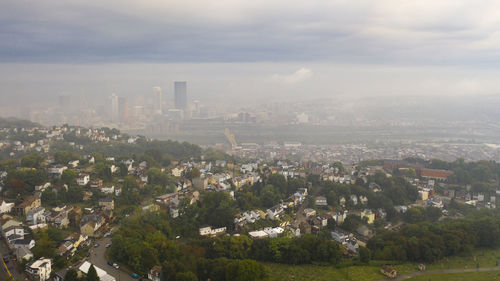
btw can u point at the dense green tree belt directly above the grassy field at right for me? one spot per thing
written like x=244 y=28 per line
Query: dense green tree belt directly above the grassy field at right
x=428 y=242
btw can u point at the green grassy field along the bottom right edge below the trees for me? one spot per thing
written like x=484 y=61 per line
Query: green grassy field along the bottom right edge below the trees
x=485 y=258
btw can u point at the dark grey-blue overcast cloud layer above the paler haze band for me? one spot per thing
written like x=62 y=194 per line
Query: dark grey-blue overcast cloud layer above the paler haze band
x=383 y=31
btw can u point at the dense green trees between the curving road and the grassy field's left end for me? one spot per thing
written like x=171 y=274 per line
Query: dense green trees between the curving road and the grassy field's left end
x=145 y=241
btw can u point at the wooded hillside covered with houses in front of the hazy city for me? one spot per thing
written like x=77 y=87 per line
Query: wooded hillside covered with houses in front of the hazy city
x=175 y=209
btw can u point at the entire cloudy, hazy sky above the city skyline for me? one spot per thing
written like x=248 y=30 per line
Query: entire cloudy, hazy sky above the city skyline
x=241 y=49
